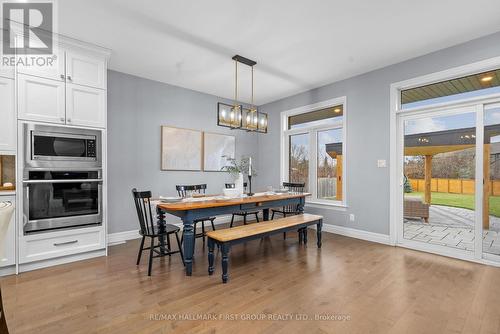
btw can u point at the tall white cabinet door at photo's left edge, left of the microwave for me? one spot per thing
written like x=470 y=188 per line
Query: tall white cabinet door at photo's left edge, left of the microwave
x=7 y=116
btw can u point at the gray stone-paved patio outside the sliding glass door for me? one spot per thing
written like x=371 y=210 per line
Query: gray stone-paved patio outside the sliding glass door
x=453 y=227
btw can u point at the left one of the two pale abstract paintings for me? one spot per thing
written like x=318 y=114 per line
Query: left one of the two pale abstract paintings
x=181 y=149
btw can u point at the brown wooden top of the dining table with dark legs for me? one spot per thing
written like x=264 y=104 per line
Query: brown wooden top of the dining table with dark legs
x=214 y=203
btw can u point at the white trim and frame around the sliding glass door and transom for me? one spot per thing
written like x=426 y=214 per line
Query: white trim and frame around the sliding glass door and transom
x=395 y=151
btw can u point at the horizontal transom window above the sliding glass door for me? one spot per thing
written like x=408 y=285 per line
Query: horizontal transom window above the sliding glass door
x=479 y=84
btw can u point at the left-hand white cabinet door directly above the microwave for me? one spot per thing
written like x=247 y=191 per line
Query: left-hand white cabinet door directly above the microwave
x=40 y=99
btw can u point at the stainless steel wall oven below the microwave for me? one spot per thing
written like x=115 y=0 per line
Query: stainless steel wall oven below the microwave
x=55 y=199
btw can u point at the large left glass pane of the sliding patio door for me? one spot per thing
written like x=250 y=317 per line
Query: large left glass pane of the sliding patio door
x=439 y=172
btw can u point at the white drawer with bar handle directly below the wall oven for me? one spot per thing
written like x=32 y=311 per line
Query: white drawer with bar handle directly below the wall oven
x=46 y=246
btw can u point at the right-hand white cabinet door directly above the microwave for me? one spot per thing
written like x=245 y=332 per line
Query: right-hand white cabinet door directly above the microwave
x=85 y=106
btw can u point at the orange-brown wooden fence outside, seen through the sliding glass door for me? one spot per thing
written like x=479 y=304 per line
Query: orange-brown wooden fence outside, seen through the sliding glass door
x=453 y=186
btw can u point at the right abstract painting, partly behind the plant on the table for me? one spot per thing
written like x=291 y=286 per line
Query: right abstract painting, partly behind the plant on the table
x=216 y=147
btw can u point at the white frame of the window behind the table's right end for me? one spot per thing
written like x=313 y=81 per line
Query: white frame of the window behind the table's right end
x=312 y=131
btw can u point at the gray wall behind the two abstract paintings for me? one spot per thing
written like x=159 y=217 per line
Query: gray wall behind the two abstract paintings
x=136 y=109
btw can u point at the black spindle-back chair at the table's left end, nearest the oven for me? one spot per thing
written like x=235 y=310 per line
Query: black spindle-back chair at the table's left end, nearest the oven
x=150 y=229
